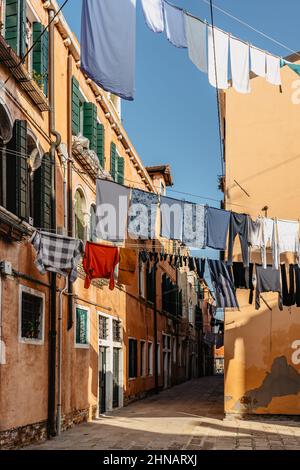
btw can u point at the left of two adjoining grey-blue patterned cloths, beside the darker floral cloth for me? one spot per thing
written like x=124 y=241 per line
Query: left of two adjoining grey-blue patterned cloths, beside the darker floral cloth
x=171 y=211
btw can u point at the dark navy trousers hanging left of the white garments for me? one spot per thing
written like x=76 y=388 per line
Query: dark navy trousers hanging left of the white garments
x=239 y=226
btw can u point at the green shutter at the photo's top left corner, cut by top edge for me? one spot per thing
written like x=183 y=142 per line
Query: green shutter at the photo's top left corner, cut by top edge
x=15 y=25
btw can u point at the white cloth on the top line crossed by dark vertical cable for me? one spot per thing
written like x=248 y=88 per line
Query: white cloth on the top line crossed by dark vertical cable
x=218 y=44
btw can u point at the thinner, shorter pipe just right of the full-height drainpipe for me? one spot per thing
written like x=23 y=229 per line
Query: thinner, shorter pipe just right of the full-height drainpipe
x=69 y=179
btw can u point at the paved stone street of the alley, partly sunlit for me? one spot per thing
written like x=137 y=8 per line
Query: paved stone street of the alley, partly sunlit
x=186 y=417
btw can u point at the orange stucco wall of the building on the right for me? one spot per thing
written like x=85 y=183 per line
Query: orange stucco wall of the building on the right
x=262 y=366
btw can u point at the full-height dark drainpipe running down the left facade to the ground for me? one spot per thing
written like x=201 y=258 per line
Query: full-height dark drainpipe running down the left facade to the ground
x=54 y=145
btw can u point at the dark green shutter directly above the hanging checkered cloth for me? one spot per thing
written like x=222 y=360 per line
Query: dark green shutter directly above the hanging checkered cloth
x=43 y=194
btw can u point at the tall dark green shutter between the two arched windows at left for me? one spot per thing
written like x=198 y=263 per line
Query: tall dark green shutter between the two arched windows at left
x=17 y=171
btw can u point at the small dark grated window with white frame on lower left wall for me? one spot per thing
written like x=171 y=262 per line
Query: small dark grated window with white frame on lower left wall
x=31 y=316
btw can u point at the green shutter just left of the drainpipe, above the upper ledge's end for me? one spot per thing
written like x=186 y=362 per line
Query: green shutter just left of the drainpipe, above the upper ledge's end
x=40 y=54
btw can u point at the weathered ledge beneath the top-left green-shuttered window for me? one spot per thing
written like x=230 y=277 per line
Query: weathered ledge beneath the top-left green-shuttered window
x=11 y=60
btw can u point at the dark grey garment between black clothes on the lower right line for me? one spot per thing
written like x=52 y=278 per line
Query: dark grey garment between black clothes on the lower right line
x=267 y=280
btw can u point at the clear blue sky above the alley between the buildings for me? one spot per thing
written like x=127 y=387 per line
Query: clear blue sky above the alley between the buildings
x=173 y=118
